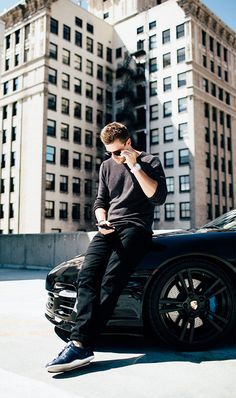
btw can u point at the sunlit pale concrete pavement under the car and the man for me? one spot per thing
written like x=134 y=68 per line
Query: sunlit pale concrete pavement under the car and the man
x=124 y=366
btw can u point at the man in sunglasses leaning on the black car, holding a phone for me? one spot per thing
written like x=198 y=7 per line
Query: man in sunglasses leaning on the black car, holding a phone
x=131 y=183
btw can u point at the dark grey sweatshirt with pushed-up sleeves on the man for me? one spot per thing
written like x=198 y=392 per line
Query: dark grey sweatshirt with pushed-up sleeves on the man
x=121 y=195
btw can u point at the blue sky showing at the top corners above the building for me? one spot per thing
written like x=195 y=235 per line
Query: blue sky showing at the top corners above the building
x=225 y=9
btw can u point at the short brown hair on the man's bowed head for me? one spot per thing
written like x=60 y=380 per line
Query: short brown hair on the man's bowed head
x=114 y=131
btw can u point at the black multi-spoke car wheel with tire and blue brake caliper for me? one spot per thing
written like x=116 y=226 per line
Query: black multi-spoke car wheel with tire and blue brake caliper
x=192 y=304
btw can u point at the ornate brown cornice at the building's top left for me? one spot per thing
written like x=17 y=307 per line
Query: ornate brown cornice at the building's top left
x=24 y=10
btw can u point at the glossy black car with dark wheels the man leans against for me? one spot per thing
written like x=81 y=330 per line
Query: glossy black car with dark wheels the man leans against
x=183 y=290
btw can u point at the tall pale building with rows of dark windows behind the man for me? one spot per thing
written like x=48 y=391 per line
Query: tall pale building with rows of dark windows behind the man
x=165 y=68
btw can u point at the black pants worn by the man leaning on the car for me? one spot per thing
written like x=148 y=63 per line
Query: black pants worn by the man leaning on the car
x=108 y=263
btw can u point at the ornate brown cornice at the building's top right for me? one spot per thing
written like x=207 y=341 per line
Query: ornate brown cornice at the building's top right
x=198 y=11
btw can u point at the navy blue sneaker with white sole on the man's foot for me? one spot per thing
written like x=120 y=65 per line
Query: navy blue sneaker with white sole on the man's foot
x=71 y=357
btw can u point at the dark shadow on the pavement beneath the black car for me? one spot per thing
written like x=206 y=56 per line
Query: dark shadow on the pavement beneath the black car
x=141 y=351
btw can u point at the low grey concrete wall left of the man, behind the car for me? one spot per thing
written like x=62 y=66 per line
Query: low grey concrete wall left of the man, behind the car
x=41 y=250
